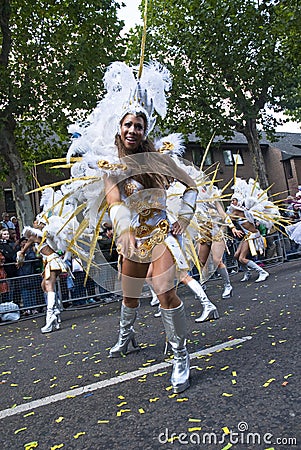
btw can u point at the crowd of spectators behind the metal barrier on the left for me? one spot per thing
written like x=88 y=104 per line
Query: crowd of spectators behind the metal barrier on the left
x=21 y=284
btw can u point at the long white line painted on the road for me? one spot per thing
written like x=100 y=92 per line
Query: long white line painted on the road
x=112 y=381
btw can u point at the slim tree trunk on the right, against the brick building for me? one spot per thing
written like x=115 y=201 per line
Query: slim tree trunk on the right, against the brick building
x=251 y=134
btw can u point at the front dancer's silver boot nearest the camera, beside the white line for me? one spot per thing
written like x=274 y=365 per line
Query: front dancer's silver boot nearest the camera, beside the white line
x=174 y=321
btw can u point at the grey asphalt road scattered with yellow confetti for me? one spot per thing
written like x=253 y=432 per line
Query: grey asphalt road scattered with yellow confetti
x=60 y=390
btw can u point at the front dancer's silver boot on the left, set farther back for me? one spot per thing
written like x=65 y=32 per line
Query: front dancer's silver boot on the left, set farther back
x=126 y=332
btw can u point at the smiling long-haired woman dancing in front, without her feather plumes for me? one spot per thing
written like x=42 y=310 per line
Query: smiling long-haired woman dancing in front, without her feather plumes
x=137 y=207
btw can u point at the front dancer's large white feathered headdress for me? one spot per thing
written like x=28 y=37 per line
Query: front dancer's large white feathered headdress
x=125 y=95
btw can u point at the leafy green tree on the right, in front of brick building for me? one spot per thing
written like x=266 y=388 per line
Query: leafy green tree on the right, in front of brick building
x=230 y=60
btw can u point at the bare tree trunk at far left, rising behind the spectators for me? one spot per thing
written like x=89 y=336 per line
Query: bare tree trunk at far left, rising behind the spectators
x=19 y=183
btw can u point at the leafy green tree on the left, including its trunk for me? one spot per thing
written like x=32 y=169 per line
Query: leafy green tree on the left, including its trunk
x=52 y=57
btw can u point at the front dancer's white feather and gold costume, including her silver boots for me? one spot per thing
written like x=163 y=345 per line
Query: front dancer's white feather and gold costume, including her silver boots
x=93 y=156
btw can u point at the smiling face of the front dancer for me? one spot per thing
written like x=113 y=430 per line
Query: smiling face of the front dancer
x=132 y=131
